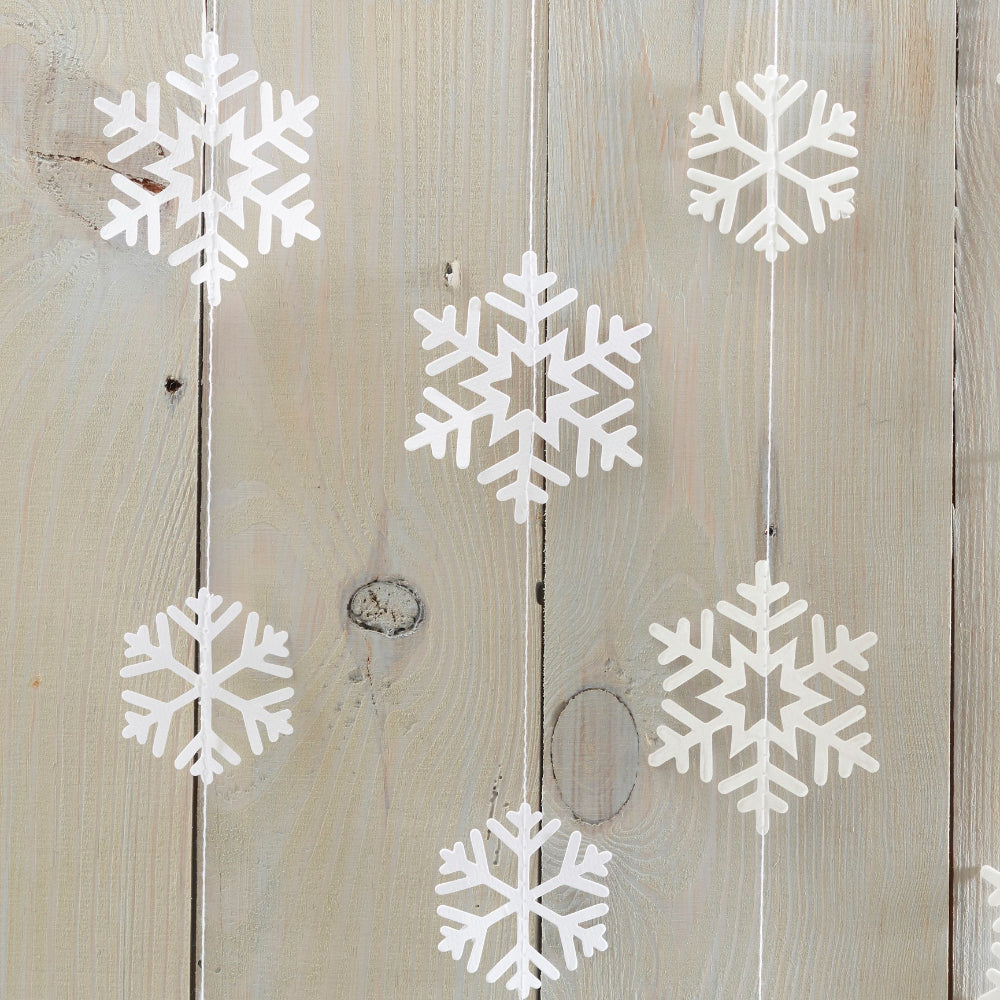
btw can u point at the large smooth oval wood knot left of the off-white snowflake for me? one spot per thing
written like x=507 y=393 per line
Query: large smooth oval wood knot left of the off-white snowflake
x=595 y=754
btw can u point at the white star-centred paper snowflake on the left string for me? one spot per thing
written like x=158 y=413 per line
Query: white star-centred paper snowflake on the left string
x=181 y=168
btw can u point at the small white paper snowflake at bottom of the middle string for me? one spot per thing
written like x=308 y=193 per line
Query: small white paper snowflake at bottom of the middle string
x=521 y=900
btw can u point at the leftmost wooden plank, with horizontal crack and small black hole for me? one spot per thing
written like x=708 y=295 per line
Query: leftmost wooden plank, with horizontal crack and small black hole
x=97 y=519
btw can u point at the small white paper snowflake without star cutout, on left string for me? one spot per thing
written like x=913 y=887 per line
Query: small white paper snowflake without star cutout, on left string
x=207 y=686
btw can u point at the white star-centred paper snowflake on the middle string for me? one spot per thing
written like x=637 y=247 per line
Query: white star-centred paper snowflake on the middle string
x=534 y=353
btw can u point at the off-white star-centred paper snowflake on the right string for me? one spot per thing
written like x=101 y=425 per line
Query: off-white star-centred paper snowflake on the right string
x=764 y=775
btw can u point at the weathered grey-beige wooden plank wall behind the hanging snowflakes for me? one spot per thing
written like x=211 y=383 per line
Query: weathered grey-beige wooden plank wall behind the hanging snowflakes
x=321 y=855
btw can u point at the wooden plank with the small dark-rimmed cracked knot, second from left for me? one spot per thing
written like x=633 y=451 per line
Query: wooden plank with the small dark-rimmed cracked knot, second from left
x=323 y=853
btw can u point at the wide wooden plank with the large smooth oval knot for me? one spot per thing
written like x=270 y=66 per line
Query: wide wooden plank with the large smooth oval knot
x=862 y=489
